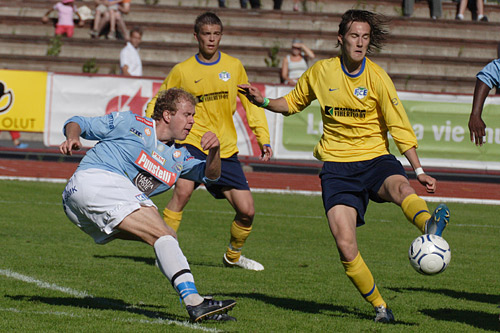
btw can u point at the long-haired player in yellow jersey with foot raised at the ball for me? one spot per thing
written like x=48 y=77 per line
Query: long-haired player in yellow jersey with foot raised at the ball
x=359 y=106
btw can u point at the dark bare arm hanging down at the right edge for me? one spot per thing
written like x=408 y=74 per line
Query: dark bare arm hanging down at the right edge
x=476 y=124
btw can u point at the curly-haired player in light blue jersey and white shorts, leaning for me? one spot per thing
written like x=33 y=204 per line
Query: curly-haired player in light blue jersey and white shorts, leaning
x=136 y=157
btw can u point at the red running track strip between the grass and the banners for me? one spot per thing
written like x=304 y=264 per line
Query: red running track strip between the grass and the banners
x=267 y=180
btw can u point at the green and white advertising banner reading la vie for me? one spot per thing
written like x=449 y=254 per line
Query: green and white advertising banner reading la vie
x=440 y=123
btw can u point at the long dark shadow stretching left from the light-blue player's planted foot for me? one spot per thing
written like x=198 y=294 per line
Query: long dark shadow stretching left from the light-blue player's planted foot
x=100 y=303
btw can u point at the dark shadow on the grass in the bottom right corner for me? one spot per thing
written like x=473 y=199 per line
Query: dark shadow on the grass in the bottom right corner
x=476 y=319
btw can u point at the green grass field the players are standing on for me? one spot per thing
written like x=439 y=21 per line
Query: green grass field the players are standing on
x=53 y=278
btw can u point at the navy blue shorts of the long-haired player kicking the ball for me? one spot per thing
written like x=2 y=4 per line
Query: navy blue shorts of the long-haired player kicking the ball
x=355 y=183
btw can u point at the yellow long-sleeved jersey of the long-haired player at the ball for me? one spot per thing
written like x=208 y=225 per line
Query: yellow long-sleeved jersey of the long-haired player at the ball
x=357 y=111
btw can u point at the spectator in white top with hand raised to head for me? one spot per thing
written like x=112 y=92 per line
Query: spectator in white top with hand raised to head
x=296 y=63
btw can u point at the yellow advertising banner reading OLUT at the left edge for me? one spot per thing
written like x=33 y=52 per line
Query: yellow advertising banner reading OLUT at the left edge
x=22 y=100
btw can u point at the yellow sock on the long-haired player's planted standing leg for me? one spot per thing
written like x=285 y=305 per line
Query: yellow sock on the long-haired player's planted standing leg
x=363 y=280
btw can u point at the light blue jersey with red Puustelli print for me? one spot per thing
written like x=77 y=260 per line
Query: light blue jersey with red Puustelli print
x=128 y=146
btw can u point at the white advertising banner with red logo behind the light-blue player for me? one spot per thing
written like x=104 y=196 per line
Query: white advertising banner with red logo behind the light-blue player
x=90 y=96
